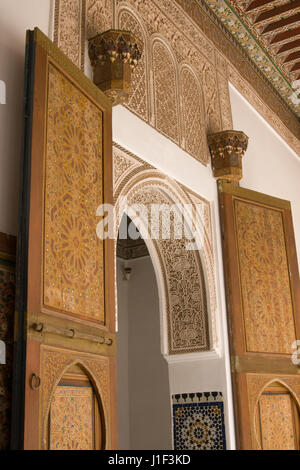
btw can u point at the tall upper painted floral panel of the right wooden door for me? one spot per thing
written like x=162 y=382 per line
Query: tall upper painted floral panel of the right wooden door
x=267 y=301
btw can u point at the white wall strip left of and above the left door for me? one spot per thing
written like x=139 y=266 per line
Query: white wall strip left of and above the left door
x=16 y=16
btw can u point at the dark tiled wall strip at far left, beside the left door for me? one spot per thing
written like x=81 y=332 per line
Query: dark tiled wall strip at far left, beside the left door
x=7 y=308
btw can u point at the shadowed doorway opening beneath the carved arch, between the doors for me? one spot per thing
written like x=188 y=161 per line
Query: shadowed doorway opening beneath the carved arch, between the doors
x=144 y=403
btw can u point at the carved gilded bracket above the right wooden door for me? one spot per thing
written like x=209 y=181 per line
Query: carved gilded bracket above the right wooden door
x=227 y=149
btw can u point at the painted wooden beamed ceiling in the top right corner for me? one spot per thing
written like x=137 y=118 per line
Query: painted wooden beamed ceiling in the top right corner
x=270 y=32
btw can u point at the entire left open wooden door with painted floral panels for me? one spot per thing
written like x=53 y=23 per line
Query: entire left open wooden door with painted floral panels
x=64 y=381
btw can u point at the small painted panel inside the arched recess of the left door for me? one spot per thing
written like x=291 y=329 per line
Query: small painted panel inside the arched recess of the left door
x=71 y=419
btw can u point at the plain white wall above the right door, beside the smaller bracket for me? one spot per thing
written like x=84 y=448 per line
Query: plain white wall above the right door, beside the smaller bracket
x=270 y=165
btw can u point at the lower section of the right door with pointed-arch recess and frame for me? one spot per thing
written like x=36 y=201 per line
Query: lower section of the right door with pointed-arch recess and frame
x=270 y=412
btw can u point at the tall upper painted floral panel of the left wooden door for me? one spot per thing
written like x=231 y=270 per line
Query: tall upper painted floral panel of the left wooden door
x=73 y=255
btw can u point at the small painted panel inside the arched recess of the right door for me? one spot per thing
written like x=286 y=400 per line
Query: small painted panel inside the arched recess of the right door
x=276 y=421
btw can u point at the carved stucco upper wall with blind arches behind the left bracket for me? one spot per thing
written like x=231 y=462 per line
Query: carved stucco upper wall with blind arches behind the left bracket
x=180 y=86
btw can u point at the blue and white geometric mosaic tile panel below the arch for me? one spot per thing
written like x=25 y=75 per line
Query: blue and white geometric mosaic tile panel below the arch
x=198 y=421
